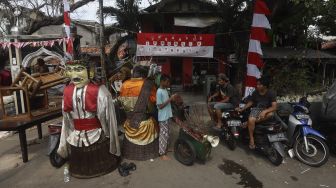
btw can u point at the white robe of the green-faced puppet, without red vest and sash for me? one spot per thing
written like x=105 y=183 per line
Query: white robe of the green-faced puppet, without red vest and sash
x=106 y=115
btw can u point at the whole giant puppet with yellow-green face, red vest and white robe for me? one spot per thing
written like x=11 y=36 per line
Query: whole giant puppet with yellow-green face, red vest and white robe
x=89 y=135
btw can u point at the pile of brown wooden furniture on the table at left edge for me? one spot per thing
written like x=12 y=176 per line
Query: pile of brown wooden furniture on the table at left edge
x=33 y=90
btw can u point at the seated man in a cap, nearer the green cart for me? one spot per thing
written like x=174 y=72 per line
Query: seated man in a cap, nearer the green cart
x=227 y=96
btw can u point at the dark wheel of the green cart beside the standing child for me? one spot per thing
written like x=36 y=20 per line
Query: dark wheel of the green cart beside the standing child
x=184 y=152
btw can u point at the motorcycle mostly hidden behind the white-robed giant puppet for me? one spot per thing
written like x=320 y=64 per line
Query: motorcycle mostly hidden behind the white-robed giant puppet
x=54 y=140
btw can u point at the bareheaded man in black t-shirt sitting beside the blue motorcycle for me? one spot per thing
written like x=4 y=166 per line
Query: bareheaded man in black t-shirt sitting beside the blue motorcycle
x=263 y=103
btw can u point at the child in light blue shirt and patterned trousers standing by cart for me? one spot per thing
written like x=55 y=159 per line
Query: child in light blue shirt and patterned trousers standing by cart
x=164 y=114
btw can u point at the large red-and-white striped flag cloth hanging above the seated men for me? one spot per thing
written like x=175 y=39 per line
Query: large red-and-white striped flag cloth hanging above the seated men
x=258 y=35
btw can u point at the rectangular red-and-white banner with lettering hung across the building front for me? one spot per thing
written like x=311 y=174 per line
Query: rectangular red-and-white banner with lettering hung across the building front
x=178 y=45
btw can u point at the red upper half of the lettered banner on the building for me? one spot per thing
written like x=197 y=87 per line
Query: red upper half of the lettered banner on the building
x=162 y=39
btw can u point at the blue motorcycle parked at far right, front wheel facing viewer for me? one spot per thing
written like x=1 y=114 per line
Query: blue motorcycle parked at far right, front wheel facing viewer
x=307 y=144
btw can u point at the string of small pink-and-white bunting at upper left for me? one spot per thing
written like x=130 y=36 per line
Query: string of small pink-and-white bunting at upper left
x=48 y=43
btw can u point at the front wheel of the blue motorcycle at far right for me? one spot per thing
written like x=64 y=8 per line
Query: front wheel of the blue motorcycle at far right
x=316 y=147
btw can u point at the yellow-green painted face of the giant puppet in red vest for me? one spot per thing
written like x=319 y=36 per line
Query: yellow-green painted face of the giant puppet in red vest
x=78 y=75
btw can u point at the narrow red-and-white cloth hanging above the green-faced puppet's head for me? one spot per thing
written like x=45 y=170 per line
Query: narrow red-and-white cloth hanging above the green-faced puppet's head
x=67 y=22
